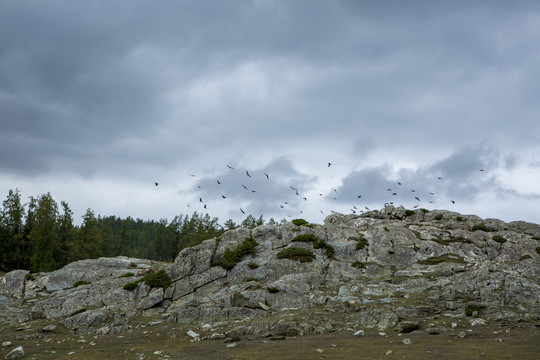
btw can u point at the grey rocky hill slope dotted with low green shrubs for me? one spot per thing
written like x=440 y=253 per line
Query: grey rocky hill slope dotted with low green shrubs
x=388 y=269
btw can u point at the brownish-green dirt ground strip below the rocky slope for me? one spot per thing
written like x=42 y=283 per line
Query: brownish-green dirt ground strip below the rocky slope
x=170 y=341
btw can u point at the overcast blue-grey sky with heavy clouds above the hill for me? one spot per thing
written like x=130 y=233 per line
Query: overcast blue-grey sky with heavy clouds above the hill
x=286 y=109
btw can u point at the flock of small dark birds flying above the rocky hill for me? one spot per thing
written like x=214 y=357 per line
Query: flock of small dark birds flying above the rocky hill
x=285 y=205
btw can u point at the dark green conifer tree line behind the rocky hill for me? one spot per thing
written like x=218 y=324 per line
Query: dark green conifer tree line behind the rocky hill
x=39 y=235
